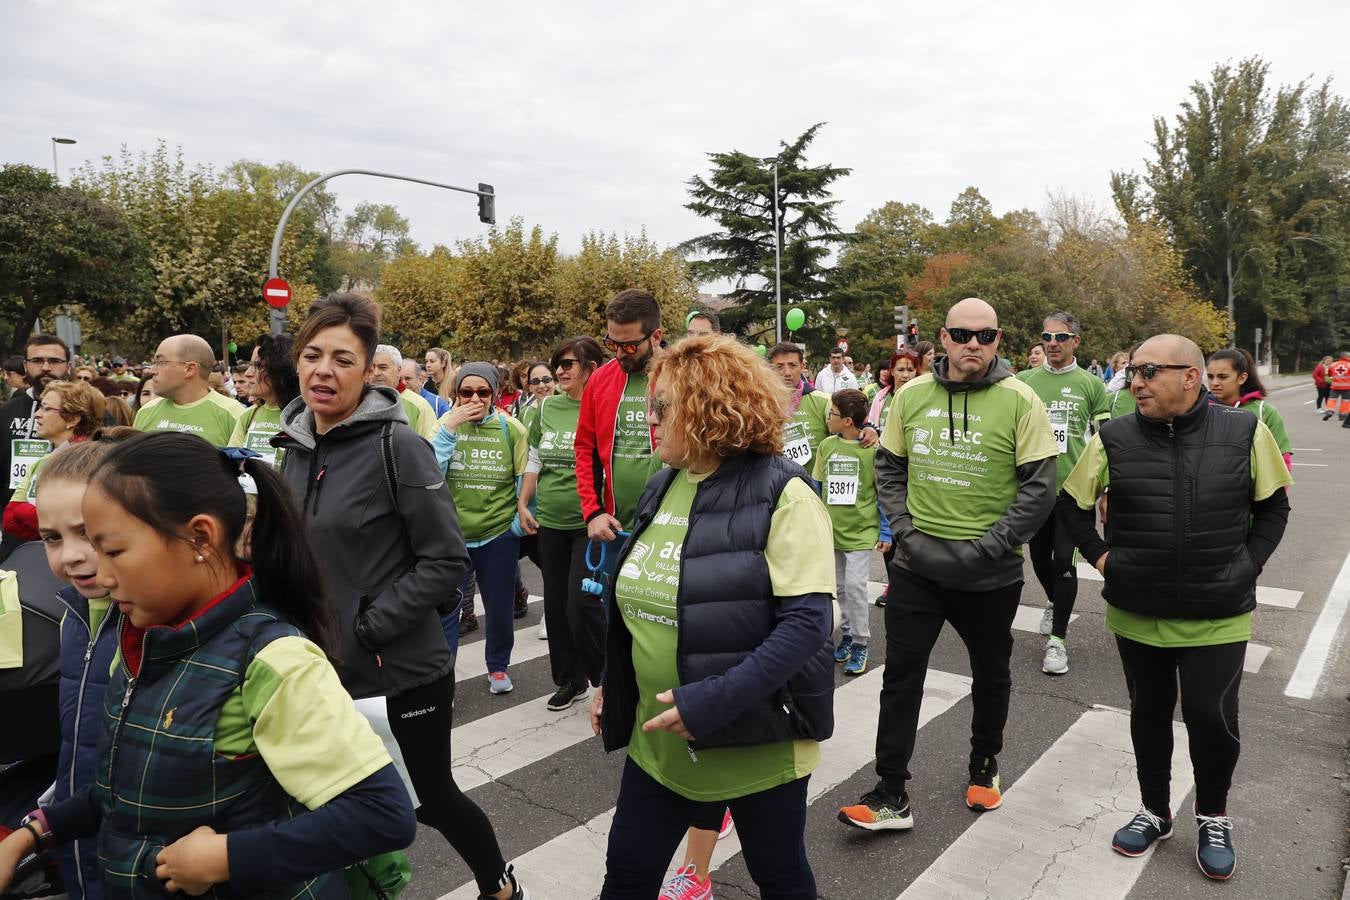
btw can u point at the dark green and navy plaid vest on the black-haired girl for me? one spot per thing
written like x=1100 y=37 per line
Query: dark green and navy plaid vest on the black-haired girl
x=159 y=775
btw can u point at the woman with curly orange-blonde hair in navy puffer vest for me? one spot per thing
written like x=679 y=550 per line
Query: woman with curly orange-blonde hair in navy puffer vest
x=732 y=553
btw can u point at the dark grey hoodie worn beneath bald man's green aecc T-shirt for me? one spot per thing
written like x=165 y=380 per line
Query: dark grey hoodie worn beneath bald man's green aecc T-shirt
x=986 y=563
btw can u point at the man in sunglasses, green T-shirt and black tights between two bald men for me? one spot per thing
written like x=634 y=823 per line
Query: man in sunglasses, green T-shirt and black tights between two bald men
x=1077 y=401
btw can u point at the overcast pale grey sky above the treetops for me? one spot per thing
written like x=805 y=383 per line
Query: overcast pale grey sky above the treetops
x=592 y=117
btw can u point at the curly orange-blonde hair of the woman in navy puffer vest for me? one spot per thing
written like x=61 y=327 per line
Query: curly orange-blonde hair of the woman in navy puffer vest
x=722 y=397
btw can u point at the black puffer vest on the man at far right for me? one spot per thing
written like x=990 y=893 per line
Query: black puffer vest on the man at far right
x=1181 y=512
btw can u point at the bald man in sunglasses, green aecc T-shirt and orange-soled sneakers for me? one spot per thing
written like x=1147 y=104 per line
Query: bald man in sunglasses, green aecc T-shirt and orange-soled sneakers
x=966 y=476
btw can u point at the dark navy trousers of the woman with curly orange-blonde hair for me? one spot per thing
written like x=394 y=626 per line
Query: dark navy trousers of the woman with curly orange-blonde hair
x=651 y=820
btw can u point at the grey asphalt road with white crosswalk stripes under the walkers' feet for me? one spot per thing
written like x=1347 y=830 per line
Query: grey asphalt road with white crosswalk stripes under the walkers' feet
x=1067 y=767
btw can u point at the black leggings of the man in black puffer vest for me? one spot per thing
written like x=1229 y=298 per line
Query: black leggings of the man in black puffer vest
x=1210 y=678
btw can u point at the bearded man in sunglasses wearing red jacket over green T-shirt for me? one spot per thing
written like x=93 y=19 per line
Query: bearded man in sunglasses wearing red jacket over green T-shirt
x=614 y=441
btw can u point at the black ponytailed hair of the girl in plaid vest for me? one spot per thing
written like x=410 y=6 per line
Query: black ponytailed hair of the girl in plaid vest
x=167 y=478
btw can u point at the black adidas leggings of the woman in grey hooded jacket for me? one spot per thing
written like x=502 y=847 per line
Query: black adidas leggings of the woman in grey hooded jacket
x=421 y=720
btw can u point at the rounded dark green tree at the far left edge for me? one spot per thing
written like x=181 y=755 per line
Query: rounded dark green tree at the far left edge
x=59 y=246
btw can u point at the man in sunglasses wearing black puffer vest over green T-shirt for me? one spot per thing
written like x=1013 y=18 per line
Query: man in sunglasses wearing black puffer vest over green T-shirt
x=1198 y=507
